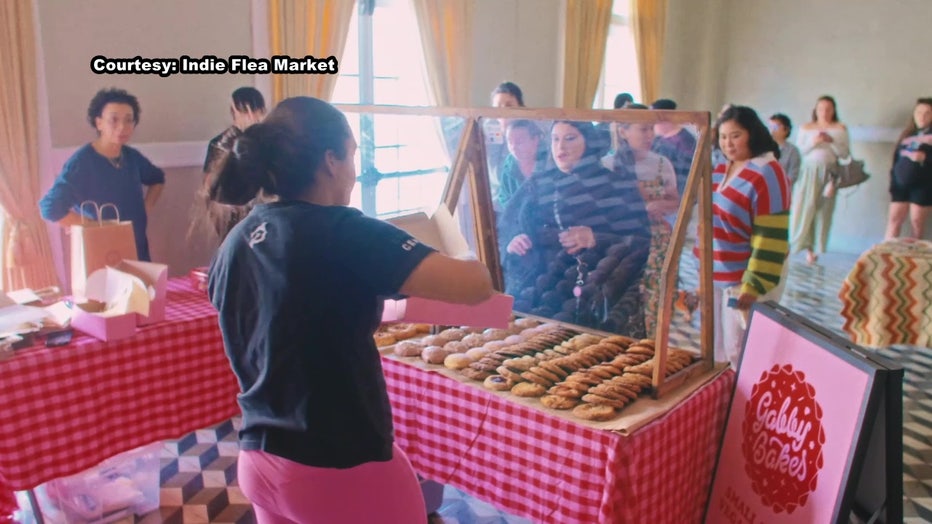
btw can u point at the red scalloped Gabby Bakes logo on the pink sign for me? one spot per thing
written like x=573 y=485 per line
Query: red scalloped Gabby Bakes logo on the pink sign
x=783 y=438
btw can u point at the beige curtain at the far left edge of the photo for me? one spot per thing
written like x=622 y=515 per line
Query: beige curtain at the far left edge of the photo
x=27 y=257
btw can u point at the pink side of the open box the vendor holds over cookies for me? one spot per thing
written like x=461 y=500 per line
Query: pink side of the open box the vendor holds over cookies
x=494 y=312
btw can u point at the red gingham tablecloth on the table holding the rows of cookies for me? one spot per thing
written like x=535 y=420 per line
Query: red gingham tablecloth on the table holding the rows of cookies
x=552 y=470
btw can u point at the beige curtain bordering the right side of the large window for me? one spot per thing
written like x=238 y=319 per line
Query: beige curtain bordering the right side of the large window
x=446 y=36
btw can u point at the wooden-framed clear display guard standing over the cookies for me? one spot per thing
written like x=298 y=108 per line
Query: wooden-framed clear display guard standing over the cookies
x=475 y=143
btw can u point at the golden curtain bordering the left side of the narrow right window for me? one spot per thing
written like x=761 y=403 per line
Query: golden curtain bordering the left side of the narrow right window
x=587 y=23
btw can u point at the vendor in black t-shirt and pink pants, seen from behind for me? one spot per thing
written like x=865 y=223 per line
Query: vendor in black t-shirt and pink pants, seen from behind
x=297 y=284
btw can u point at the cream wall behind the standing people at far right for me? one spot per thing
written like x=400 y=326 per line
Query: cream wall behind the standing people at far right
x=781 y=56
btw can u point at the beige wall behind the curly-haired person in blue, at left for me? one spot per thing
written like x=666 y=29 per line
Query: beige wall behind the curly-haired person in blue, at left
x=179 y=114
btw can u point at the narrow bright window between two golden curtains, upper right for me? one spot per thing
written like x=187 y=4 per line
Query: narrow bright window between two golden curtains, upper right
x=620 y=72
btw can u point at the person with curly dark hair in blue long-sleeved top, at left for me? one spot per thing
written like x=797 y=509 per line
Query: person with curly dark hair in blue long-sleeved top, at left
x=107 y=171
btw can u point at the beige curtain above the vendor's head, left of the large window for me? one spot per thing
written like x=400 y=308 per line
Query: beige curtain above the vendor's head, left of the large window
x=308 y=27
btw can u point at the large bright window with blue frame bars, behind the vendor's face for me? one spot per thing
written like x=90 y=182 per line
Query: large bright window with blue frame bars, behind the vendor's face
x=383 y=64
